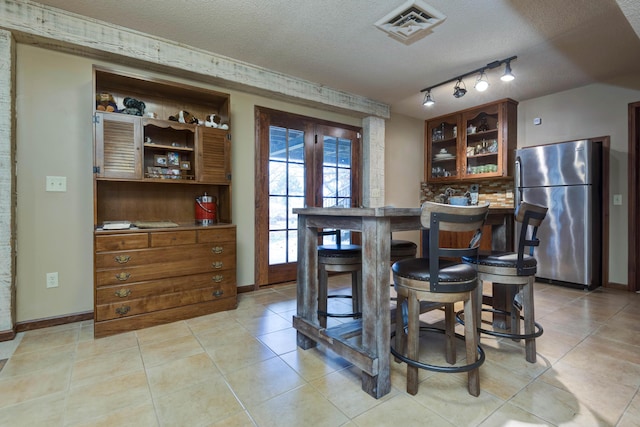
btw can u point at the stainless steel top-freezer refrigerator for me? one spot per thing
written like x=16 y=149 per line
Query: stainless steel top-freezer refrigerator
x=565 y=177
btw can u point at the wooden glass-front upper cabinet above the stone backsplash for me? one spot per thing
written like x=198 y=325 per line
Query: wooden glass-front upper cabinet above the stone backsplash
x=472 y=144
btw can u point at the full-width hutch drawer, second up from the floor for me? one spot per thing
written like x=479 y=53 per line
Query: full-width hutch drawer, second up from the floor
x=222 y=280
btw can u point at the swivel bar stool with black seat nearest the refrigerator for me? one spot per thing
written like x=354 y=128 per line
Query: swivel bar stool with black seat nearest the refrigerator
x=516 y=270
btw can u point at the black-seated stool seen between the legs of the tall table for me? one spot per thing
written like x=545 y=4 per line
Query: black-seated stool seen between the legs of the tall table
x=340 y=258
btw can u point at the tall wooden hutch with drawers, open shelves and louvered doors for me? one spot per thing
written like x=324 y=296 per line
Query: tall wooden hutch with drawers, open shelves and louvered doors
x=154 y=263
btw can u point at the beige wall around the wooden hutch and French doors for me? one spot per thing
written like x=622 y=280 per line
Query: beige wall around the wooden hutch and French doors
x=54 y=137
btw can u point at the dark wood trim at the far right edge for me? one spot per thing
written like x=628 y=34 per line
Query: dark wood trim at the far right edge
x=632 y=196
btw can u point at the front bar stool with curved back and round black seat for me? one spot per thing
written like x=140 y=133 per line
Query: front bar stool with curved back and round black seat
x=443 y=280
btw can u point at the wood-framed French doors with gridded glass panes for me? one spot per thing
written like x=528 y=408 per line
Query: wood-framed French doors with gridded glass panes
x=300 y=161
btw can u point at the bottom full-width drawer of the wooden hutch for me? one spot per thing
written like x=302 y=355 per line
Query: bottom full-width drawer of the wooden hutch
x=134 y=306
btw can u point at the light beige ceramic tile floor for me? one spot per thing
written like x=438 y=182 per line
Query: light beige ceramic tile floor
x=242 y=368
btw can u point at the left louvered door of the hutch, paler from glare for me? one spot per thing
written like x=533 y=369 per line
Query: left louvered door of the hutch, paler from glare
x=118 y=146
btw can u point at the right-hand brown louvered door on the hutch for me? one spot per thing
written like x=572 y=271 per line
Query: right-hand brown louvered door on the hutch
x=214 y=156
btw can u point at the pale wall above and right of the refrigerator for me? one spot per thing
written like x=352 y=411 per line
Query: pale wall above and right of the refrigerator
x=590 y=111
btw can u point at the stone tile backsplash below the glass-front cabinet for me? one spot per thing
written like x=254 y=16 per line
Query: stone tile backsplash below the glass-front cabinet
x=498 y=192
